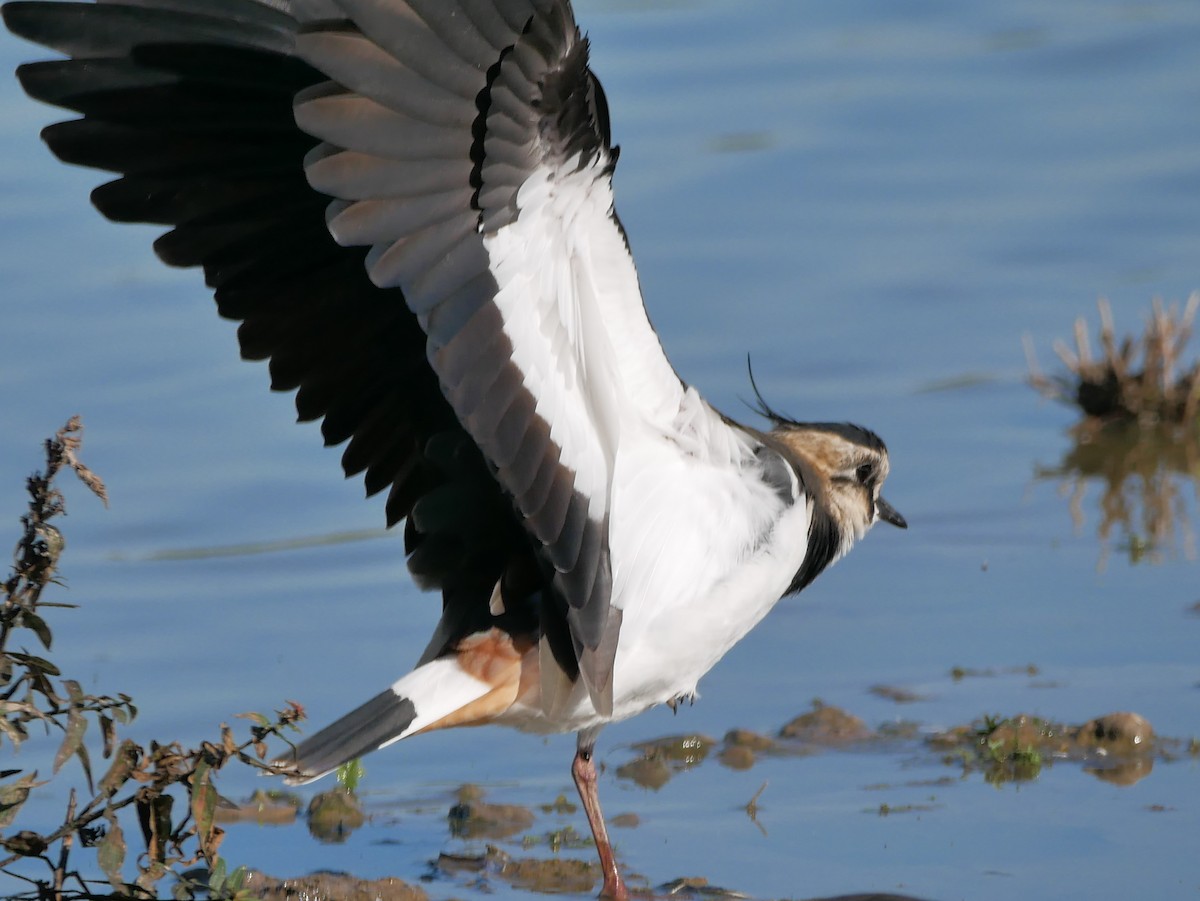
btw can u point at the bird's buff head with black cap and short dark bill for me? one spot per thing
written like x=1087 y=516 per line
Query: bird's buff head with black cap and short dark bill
x=850 y=465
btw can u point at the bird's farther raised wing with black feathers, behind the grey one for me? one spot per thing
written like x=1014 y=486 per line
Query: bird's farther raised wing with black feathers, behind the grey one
x=191 y=104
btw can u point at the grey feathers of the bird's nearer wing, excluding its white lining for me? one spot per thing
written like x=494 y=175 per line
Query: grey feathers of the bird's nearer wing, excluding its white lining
x=441 y=113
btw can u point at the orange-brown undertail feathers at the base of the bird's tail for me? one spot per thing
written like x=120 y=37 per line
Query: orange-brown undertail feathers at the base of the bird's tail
x=509 y=665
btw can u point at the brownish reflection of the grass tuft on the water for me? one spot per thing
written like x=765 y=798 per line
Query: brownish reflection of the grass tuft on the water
x=1144 y=477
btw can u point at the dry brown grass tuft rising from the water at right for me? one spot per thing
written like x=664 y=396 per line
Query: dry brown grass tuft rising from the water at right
x=1138 y=382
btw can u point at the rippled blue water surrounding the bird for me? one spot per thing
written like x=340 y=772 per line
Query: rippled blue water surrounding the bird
x=877 y=201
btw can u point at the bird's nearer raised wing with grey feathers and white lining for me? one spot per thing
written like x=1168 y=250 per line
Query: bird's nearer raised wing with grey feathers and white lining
x=469 y=147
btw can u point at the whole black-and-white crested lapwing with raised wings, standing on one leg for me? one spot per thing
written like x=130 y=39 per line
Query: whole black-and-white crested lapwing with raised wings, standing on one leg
x=409 y=207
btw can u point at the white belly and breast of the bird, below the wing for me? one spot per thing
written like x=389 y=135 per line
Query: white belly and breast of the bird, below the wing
x=700 y=555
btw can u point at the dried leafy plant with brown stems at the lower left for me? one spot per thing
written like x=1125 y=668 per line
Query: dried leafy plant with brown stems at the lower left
x=34 y=692
